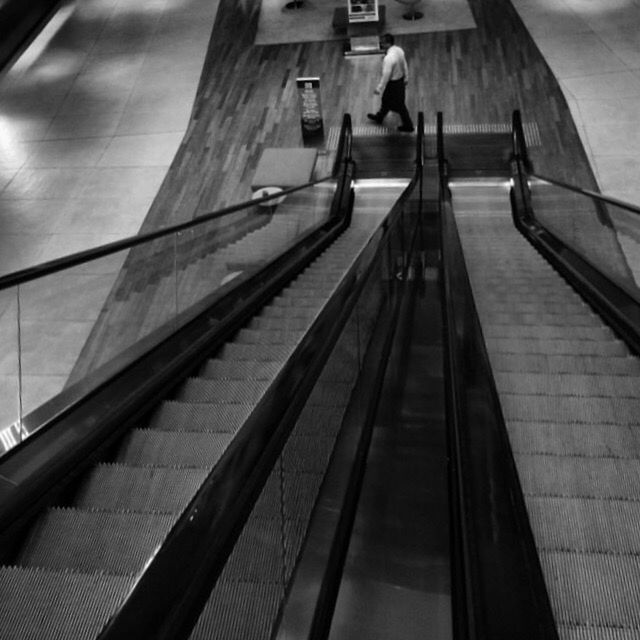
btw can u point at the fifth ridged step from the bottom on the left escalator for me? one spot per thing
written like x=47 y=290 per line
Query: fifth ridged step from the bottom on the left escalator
x=173 y=415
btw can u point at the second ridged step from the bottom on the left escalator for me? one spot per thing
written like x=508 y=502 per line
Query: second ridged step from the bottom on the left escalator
x=88 y=541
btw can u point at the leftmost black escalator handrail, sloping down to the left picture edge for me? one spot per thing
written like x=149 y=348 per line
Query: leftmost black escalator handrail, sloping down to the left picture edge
x=57 y=265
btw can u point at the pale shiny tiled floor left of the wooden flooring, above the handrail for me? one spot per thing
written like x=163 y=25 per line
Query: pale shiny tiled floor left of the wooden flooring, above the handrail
x=90 y=119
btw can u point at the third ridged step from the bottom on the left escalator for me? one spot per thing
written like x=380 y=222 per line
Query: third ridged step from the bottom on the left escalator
x=149 y=489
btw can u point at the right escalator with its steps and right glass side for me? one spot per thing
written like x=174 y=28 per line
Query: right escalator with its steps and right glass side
x=557 y=303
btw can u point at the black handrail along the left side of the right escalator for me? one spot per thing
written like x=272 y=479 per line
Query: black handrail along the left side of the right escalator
x=498 y=585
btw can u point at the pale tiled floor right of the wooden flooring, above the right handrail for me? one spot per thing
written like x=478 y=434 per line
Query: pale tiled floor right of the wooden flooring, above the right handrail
x=593 y=48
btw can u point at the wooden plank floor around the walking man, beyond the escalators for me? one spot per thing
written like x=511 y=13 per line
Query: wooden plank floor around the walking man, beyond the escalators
x=247 y=99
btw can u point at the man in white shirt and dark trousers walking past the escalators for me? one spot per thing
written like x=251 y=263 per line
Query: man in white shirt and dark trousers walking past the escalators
x=395 y=75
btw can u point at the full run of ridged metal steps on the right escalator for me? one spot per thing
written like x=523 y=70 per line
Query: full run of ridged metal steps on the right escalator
x=569 y=394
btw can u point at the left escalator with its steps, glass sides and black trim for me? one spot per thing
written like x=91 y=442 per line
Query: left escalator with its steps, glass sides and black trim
x=121 y=538
